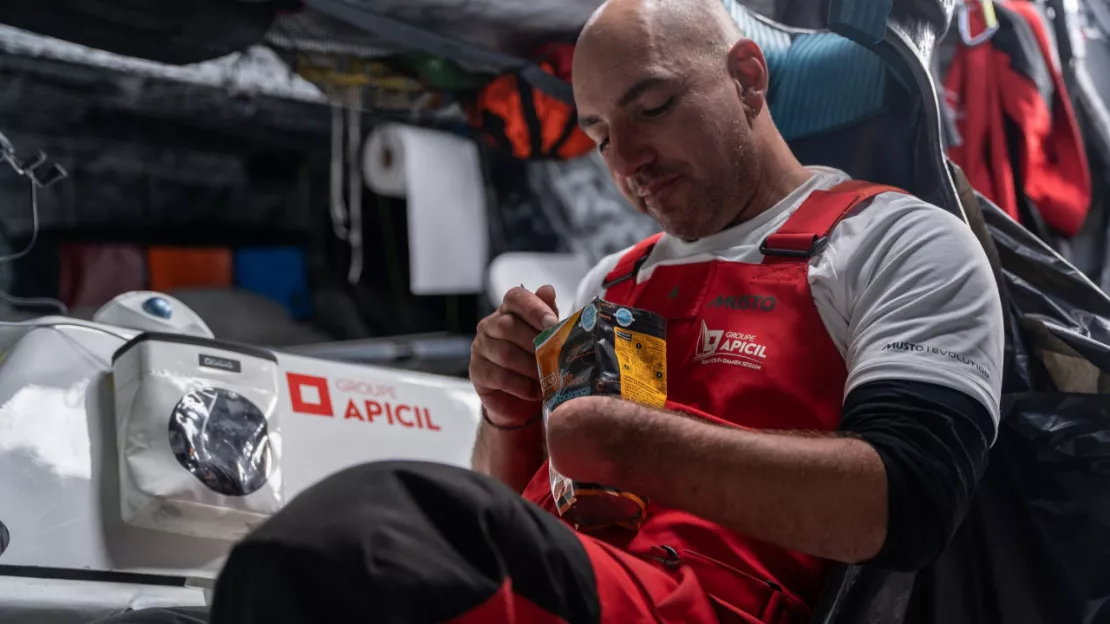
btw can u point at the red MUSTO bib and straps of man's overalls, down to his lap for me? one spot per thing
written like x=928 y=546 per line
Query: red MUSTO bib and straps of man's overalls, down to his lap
x=746 y=347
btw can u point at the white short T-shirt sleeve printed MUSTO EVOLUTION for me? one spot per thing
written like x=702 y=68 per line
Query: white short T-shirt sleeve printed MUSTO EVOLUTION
x=921 y=301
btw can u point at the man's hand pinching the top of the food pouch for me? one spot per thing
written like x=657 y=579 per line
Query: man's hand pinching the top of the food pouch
x=503 y=358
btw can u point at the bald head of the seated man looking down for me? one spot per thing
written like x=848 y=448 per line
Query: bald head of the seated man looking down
x=674 y=96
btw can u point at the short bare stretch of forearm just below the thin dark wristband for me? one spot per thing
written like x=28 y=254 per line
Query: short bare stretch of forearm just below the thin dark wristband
x=511 y=457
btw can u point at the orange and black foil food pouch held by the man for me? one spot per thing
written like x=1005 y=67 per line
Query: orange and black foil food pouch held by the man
x=602 y=350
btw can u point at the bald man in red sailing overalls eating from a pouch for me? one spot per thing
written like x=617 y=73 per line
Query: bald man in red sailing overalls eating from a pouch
x=834 y=360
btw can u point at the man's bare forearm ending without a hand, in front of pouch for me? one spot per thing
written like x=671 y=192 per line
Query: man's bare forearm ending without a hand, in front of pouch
x=822 y=496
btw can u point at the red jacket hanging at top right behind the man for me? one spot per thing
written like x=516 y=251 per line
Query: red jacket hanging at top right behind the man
x=993 y=84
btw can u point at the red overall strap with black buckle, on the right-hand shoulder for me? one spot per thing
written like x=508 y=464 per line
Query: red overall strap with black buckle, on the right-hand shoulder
x=808 y=230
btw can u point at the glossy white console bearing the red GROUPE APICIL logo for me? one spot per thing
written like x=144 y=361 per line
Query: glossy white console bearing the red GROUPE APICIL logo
x=60 y=497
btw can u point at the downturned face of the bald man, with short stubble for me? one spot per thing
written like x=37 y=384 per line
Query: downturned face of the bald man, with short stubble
x=673 y=132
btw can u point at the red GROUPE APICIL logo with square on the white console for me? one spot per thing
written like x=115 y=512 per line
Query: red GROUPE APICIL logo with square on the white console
x=369 y=402
